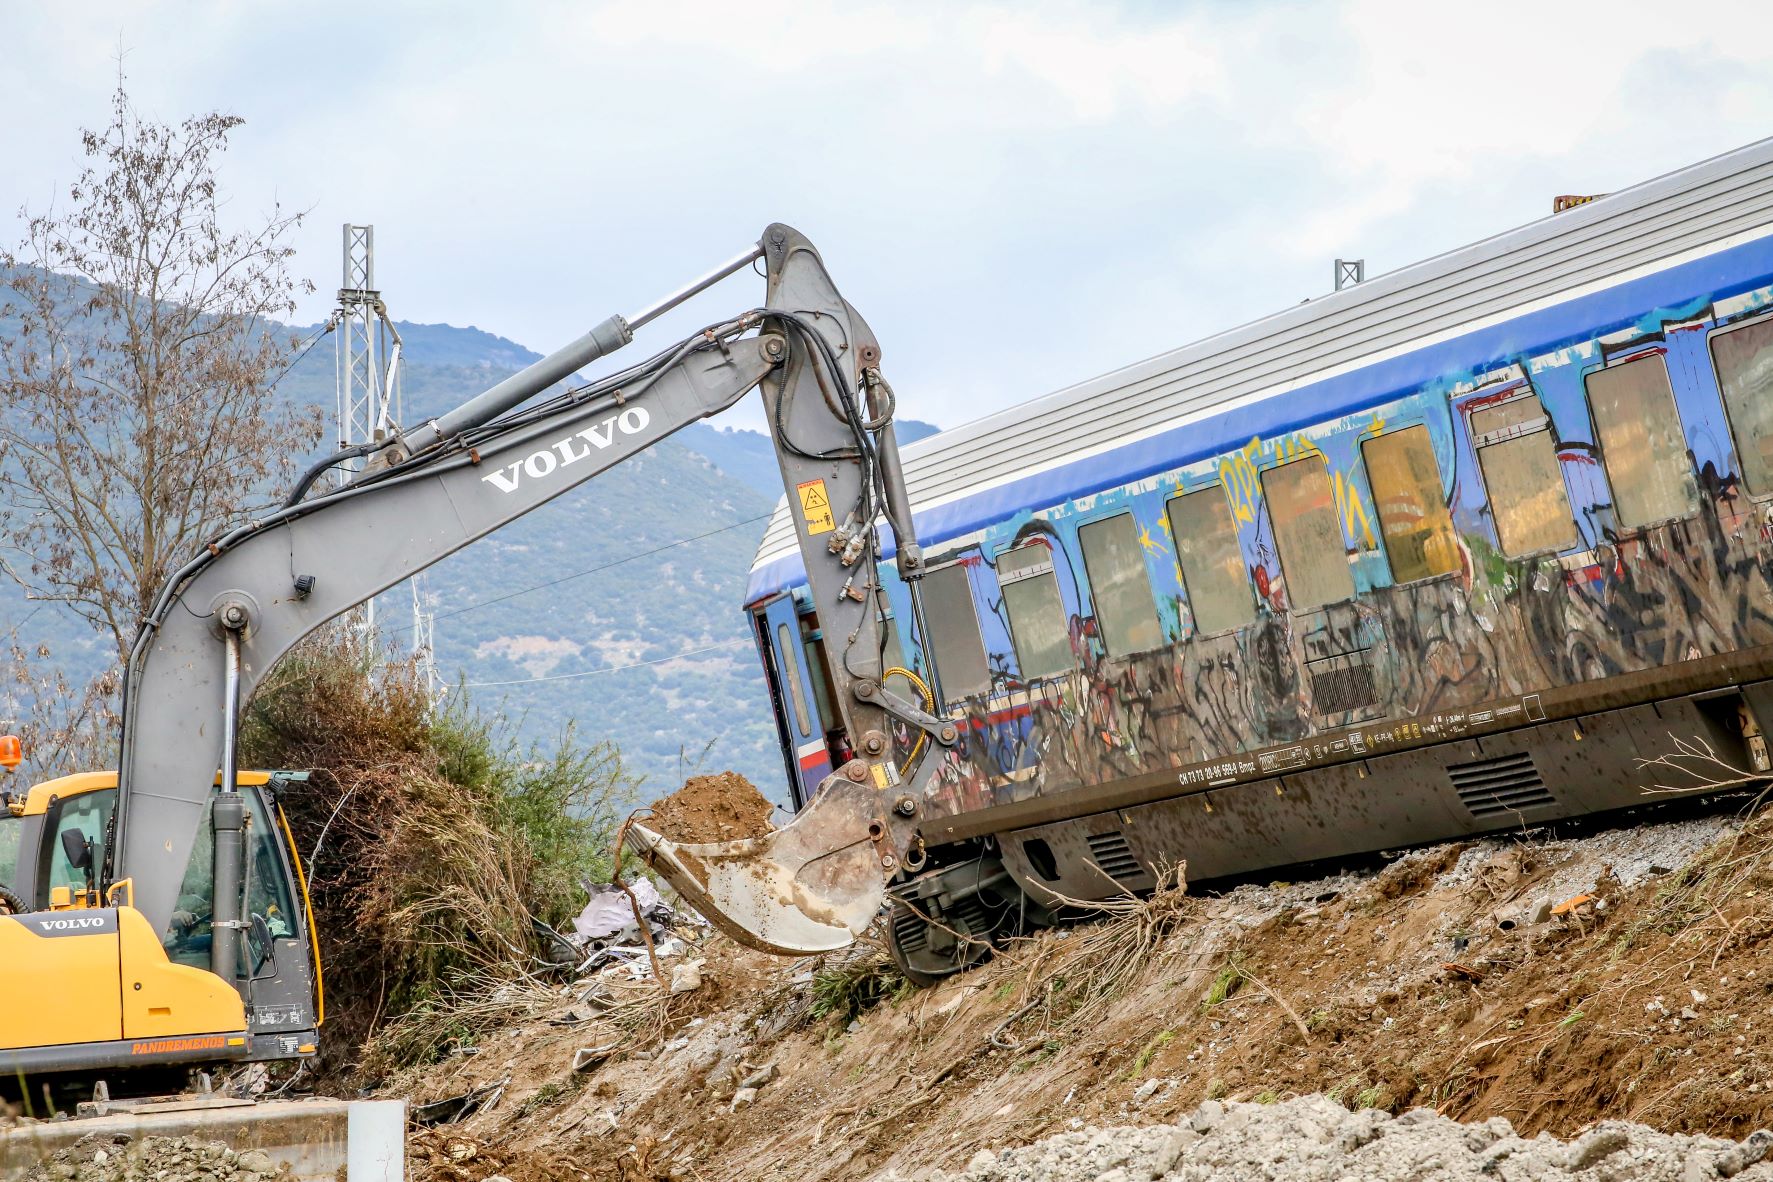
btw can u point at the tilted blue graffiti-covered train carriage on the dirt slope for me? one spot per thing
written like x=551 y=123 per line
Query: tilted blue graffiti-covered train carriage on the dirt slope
x=1444 y=554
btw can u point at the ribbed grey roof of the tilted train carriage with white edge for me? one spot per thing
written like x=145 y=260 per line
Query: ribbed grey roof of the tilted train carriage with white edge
x=1090 y=435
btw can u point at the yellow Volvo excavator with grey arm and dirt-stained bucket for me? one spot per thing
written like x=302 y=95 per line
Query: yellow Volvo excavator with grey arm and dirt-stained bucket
x=157 y=915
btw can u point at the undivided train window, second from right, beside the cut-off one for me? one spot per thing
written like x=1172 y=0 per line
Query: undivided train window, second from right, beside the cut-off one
x=1641 y=442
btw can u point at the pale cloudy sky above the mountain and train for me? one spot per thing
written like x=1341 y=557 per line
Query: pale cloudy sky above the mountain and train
x=1017 y=198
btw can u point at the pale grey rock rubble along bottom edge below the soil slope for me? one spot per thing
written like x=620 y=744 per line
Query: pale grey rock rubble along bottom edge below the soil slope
x=1316 y=1140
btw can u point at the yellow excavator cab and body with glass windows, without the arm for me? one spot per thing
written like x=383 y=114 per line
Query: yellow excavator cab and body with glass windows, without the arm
x=132 y=993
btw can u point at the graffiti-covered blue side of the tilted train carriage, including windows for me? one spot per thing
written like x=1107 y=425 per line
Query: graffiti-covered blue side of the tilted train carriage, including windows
x=1497 y=561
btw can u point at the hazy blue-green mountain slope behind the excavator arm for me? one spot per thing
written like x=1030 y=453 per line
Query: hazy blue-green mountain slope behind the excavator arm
x=616 y=607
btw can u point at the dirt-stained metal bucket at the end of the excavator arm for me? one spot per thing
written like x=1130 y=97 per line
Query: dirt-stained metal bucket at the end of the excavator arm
x=808 y=889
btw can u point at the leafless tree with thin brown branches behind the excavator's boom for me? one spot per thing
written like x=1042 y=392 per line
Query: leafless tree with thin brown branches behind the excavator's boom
x=139 y=371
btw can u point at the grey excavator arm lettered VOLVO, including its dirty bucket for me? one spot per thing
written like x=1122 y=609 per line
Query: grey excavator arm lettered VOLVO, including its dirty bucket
x=226 y=618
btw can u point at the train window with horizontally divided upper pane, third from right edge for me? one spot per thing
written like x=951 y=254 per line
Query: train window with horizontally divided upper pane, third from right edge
x=1522 y=474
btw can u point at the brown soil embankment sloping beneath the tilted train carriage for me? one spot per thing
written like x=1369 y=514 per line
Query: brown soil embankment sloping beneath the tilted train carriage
x=1554 y=984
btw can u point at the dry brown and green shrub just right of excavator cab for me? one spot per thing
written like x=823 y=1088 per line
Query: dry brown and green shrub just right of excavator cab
x=432 y=843
